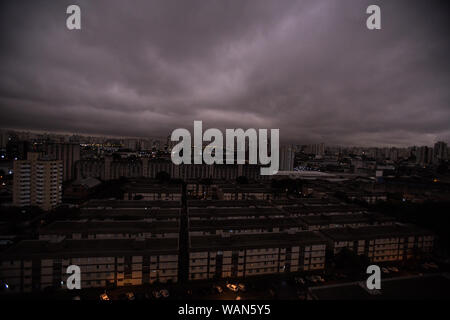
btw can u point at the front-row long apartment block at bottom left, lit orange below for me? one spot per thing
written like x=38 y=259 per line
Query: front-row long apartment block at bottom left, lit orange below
x=33 y=265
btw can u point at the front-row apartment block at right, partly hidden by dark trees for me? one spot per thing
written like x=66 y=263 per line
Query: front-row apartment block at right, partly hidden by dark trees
x=382 y=243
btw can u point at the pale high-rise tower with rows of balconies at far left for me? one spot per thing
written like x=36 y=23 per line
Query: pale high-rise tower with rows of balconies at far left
x=37 y=182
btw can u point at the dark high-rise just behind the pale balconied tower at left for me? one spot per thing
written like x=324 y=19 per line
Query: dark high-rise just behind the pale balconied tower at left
x=69 y=153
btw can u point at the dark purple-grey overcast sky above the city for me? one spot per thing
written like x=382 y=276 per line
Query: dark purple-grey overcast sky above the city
x=310 y=68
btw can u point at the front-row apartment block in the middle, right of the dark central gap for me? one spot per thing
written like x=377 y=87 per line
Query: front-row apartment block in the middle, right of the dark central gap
x=257 y=254
